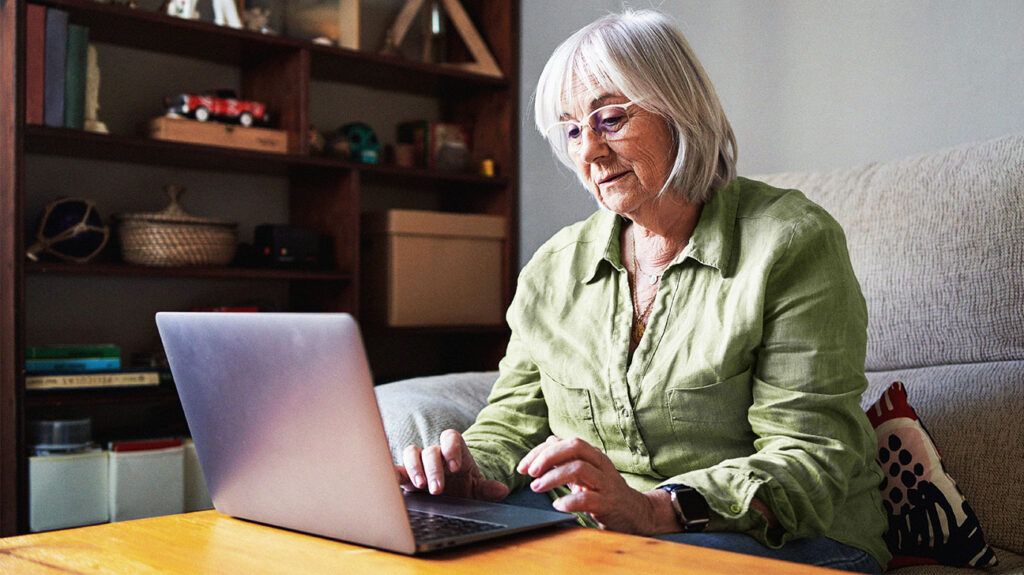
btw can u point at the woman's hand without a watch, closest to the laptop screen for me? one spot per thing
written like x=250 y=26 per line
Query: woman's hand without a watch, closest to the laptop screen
x=448 y=469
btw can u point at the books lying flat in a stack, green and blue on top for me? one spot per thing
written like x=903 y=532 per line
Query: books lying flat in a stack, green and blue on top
x=79 y=367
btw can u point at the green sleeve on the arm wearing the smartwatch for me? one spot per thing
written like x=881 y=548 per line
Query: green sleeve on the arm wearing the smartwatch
x=807 y=382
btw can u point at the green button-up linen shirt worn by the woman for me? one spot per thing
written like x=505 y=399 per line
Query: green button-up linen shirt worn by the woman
x=747 y=382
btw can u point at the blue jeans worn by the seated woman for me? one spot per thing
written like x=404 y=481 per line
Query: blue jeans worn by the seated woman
x=822 y=552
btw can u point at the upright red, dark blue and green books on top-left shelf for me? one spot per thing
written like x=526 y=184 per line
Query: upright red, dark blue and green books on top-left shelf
x=56 y=69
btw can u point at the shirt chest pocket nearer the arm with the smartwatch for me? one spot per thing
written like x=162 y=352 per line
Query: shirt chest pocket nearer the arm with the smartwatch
x=714 y=413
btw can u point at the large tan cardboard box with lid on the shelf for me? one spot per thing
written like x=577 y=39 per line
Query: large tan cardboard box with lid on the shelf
x=431 y=269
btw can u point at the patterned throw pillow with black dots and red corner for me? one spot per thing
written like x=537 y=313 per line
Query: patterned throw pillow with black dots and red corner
x=930 y=522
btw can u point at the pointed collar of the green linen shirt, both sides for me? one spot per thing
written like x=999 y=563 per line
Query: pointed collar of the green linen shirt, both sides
x=711 y=244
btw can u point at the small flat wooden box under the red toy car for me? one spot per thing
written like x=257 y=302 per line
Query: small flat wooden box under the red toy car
x=214 y=134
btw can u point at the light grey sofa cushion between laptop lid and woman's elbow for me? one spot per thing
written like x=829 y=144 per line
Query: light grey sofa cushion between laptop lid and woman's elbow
x=416 y=412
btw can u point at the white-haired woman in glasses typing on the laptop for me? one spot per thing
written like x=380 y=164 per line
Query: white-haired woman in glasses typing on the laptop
x=689 y=362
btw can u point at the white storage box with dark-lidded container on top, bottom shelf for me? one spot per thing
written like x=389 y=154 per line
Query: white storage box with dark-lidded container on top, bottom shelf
x=68 y=491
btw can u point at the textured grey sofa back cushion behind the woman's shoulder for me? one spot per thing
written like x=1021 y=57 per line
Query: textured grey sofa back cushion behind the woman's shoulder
x=935 y=241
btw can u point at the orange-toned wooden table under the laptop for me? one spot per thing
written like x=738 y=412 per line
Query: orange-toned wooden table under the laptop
x=211 y=543
